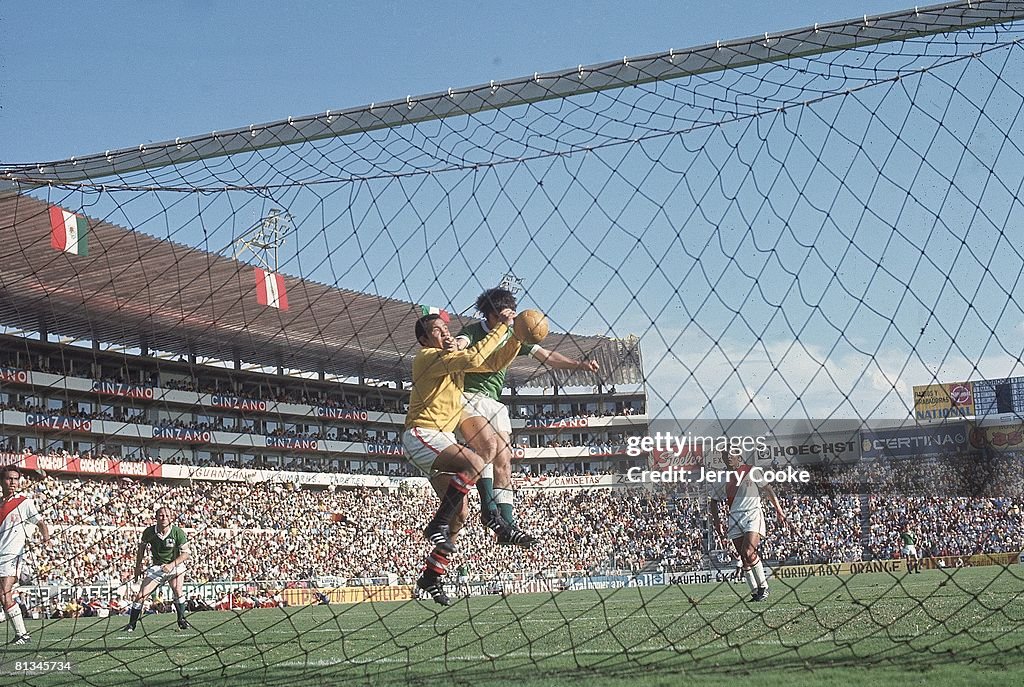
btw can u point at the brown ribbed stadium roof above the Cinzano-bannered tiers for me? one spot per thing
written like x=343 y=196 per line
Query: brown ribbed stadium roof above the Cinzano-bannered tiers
x=136 y=290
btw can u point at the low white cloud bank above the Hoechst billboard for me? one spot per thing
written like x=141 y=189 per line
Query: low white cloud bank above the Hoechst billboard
x=787 y=379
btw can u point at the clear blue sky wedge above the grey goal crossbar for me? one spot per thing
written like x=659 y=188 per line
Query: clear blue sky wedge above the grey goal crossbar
x=84 y=77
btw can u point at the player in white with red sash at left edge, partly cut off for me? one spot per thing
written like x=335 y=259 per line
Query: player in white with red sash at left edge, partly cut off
x=17 y=516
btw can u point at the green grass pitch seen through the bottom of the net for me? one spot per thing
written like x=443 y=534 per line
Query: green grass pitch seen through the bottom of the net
x=934 y=628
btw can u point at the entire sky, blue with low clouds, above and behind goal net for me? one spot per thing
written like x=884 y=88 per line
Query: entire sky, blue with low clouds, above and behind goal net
x=793 y=265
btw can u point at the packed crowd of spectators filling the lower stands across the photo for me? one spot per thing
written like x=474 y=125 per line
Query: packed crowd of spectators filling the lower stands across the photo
x=278 y=532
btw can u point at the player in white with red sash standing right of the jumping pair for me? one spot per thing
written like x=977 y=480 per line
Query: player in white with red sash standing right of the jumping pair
x=747 y=520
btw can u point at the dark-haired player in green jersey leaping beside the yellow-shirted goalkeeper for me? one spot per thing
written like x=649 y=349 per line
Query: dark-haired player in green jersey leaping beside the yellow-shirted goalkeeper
x=486 y=422
